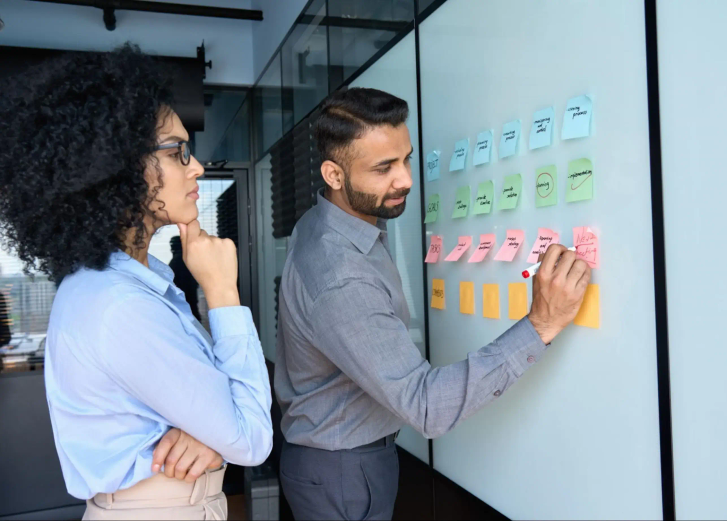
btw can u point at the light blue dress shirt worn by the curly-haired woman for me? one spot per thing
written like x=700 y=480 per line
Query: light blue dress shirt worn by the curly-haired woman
x=126 y=360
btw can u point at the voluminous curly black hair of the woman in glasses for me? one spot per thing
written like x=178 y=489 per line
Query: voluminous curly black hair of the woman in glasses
x=76 y=136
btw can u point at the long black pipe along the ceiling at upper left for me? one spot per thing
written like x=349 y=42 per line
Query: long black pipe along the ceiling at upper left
x=163 y=7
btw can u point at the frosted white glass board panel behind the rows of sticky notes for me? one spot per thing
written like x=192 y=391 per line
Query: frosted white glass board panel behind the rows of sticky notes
x=578 y=436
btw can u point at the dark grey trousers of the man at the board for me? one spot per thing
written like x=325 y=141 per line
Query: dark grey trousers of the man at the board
x=343 y=484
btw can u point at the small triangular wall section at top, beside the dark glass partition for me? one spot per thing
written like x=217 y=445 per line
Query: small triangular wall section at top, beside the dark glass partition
x=279 y=16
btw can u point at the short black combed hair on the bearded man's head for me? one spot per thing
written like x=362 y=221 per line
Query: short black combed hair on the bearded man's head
x=347 y=115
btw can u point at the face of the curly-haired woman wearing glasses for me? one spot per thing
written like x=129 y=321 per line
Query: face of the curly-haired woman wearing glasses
x=176 y=201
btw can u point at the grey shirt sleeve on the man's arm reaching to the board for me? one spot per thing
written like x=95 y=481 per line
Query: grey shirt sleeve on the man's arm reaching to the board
x=355 y=326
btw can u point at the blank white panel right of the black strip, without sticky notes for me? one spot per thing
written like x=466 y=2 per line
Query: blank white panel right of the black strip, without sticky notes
x=692 y=80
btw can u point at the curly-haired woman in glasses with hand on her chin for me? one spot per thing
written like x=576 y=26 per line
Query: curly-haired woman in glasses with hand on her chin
x=94 y=160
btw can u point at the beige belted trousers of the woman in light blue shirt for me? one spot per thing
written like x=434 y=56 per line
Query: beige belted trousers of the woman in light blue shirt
x=160 y=497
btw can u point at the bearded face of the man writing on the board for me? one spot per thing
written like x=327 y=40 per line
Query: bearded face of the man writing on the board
x=378 y=177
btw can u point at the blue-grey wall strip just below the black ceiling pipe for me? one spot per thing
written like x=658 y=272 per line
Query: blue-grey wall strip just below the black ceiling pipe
x=228 y=43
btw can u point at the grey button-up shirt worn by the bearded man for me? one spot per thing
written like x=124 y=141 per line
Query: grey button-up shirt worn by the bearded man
x=347 y=372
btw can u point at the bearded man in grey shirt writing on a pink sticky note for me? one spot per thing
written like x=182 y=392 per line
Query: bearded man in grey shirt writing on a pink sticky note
x=348 y=376
